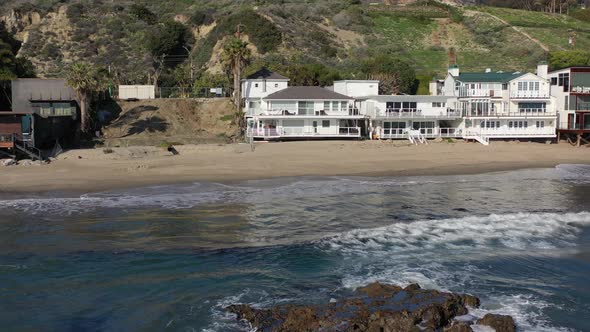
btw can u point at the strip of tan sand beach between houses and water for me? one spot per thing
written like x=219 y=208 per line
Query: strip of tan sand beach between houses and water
x=94 y=170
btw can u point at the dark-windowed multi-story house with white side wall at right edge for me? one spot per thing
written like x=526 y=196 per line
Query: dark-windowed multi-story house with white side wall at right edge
x=571 y=88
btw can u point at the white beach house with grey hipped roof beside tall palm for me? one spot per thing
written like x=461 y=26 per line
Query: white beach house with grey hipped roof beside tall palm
x=276 y=111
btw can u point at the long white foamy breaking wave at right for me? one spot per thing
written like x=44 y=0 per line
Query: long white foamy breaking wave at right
x=514 y=231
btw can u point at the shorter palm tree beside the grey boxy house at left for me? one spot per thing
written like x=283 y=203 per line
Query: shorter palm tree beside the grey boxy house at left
x=87 y=80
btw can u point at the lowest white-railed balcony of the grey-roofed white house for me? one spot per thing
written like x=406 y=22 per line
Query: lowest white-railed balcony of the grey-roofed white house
x=292 y=132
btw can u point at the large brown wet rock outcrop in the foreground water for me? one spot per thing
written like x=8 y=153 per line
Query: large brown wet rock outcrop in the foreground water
x=376 y=307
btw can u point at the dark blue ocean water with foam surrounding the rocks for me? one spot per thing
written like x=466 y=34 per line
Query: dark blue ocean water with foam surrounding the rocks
x=172 y=257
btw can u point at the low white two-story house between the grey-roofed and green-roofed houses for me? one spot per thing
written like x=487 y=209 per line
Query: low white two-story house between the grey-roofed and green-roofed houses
x=397 y=117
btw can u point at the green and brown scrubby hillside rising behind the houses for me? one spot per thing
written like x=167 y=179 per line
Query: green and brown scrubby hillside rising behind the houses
x=148 y=40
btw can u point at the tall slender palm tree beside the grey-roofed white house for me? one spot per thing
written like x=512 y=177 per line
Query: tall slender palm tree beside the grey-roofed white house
x=236 y=56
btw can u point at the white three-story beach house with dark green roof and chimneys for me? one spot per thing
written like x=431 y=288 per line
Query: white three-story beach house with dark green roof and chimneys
x=502 y=104
